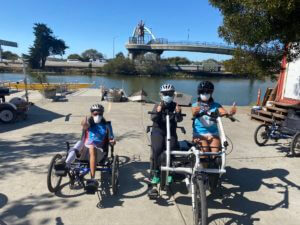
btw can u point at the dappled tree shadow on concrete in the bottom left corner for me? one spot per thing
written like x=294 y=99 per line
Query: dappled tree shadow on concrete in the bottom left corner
x=17 y=211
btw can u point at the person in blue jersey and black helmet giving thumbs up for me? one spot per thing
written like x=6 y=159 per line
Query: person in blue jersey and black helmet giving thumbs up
x=205 y=129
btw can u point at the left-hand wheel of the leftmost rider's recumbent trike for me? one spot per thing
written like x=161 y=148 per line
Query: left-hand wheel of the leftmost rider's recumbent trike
x=53 y=181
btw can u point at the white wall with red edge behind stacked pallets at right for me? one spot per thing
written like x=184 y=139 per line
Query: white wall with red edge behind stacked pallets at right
x=289 y=82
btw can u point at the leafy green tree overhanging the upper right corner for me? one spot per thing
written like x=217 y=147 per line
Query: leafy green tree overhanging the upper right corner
x=262 y=30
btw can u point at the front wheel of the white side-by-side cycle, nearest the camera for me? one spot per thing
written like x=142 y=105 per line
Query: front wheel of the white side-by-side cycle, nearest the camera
x=200 y=206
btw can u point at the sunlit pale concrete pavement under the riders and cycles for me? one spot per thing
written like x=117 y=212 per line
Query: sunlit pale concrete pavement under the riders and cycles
x=261 y=185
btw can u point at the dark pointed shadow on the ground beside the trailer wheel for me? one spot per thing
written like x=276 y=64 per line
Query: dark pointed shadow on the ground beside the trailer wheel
x=35 y=115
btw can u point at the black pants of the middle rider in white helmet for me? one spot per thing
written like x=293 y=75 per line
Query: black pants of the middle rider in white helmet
x=158 y=143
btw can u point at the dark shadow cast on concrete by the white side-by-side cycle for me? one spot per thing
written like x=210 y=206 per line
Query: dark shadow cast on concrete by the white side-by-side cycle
x=248 y=180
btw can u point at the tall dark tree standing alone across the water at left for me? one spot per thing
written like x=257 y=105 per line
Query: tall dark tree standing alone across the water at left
x=45 y=44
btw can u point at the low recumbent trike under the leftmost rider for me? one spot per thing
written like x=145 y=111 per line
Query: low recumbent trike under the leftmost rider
x=108 y=163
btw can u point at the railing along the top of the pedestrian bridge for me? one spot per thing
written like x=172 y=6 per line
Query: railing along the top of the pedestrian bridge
x=135 y=40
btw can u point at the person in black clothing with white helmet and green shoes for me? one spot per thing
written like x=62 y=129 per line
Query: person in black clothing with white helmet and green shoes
x=159 y=133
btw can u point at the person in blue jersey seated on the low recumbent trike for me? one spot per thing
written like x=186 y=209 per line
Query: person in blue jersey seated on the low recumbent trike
x=98 y=133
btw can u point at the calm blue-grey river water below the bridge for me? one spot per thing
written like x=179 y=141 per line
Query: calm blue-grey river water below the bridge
x=242 y=91
